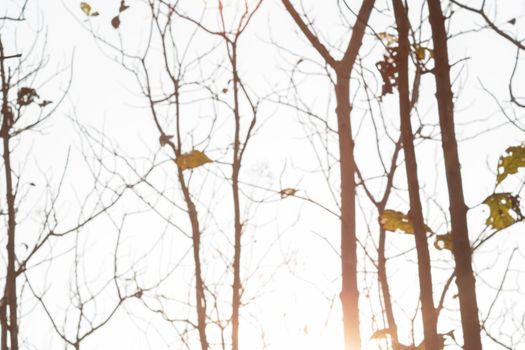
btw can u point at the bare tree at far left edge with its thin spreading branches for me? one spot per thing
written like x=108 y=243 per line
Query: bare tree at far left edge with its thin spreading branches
x=25 y=111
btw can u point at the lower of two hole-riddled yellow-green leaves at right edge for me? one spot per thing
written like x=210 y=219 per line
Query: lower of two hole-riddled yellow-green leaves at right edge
x=504 y=210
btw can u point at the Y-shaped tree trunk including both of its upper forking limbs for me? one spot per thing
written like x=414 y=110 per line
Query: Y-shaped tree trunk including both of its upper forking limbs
x=343 y=68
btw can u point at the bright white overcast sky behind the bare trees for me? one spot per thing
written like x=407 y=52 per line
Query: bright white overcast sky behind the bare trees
x=289 y=260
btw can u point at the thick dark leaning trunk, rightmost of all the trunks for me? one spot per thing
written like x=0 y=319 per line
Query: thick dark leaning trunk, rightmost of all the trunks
x=458 y=210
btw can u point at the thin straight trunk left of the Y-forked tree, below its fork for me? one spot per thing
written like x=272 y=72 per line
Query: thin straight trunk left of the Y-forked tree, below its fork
x=236 y=167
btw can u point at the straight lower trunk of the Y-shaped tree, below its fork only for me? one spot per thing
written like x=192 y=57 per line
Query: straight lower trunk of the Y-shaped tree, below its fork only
x=349 y=292
